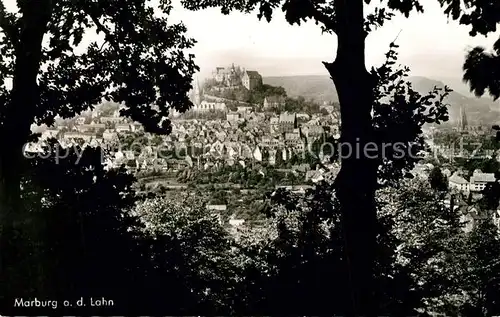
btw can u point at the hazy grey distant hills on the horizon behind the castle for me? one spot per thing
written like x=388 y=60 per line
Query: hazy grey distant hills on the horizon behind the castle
x=321 y=88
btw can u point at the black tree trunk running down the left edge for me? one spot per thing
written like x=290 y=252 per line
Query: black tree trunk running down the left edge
x=21 y=268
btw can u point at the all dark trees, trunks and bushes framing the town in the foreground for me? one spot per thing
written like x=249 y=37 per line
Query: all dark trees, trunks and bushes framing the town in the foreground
x=73 y=230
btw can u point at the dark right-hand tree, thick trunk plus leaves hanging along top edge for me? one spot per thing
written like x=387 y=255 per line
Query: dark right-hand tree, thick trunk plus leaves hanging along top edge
x=357 y=180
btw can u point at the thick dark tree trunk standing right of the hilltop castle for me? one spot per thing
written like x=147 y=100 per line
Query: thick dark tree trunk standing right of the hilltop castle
x=357 y=180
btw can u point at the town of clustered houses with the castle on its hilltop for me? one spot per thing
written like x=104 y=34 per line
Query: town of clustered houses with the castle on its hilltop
x=243 y=138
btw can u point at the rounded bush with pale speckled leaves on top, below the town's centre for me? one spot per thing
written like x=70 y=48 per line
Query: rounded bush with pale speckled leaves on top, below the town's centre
x=191 y=245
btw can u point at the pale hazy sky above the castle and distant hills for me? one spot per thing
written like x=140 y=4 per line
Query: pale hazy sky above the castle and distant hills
x=429 y=44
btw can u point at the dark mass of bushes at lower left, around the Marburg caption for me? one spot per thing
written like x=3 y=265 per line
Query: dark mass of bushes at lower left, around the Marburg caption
x=105 y=241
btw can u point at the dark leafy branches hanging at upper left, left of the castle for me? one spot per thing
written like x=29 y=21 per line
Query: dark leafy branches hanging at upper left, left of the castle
x=141 y=61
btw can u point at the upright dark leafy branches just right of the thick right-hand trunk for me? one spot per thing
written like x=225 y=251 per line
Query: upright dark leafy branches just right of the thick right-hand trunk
x=399 y=113
